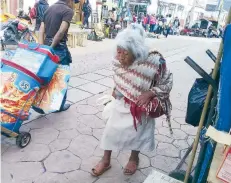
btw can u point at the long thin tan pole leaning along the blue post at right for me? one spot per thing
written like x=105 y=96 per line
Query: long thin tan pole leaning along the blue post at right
x=206 y=105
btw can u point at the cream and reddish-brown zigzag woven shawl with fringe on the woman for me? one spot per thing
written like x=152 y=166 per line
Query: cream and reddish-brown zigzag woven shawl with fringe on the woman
x=150 y=74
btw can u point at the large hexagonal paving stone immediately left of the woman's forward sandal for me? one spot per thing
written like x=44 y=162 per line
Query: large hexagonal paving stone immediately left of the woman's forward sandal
x=62 y=162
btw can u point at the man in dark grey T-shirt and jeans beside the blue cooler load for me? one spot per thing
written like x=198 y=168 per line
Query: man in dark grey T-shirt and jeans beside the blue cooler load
x=53 y=32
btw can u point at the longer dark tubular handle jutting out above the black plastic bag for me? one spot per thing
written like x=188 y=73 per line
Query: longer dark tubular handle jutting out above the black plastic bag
x=202 y=73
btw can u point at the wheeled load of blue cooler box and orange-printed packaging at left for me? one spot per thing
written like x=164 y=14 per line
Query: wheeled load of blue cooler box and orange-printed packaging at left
x=22 y=75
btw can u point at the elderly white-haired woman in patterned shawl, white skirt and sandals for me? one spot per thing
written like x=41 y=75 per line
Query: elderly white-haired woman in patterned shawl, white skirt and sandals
x=141 y=79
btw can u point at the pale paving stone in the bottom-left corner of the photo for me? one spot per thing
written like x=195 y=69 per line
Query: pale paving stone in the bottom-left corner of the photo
x=21 y=171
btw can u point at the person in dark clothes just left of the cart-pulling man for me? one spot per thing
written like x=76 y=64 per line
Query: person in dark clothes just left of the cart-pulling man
x=40 y=7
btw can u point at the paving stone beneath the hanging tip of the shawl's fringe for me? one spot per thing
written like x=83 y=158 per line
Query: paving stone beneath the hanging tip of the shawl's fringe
x=177 y=133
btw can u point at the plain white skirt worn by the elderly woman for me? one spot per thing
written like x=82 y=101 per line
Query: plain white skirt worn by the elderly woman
x=120 y=134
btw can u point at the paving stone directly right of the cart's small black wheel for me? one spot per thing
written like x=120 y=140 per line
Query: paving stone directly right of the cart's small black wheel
x=44 y=136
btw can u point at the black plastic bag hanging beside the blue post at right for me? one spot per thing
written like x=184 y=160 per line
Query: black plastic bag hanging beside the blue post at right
x=196 y=99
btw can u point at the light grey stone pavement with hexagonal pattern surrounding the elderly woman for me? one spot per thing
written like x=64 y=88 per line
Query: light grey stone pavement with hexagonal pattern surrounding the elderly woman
x=64 y=146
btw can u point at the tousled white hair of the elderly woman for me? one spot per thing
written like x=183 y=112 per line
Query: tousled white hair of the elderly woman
x=133 y=39
